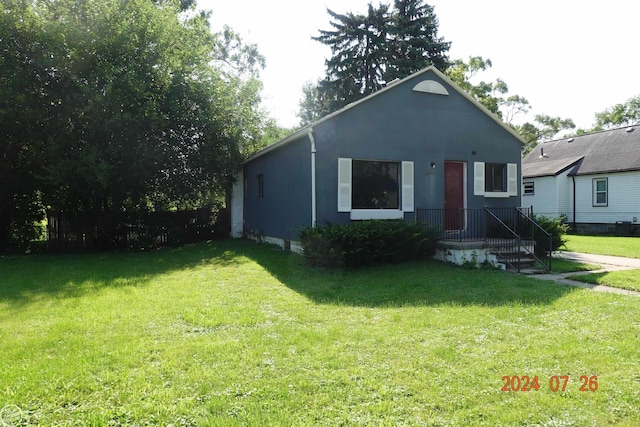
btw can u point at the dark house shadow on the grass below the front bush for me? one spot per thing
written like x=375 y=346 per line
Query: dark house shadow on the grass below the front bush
x=417 y=283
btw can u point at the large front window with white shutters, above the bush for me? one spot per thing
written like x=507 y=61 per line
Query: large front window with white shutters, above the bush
x=375 y=189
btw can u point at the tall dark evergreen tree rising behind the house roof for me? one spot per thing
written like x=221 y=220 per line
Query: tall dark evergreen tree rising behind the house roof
x=370 y=50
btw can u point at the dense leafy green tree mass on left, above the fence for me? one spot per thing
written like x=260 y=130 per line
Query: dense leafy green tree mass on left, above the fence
x=119 y=106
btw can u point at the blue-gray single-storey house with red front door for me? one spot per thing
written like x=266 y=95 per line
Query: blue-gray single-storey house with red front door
x=420 y=143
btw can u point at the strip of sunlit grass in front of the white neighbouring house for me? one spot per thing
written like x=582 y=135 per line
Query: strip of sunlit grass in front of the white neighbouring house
x=604 y=245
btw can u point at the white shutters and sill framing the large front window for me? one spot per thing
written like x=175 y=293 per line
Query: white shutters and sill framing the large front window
x=405 y=191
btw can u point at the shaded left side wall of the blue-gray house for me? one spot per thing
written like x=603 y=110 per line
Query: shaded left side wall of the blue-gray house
x=286 y=203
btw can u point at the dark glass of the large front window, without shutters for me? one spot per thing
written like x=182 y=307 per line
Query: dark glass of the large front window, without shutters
x=375 y=185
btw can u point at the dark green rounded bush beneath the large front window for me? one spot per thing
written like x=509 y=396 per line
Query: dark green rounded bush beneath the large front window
x=362 y=243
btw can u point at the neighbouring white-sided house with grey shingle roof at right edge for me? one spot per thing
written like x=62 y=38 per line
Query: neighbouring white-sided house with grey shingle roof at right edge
x=591 y=180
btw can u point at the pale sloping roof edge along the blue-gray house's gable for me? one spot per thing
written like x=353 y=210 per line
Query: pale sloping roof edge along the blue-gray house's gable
x=309 y=128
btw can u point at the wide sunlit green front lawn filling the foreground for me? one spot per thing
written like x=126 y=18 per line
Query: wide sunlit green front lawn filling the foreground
x=234 y=333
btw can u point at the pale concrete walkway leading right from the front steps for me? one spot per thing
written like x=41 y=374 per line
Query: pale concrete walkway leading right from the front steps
x=606 y=262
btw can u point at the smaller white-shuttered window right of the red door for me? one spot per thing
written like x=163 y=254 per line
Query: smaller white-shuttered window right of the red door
x=495 y=179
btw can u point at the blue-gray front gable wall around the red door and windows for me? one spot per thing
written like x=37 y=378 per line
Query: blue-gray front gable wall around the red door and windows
x=402 y=125
